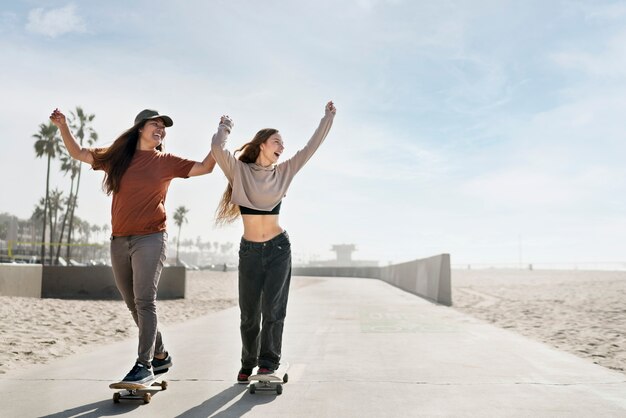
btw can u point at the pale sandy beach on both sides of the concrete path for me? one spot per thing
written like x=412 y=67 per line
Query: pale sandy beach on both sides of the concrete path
x=580 y=312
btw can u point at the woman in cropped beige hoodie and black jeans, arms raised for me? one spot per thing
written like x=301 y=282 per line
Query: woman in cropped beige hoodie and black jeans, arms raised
x=257 y=183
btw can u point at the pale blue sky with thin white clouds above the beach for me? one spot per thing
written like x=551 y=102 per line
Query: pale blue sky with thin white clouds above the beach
x=489 y=130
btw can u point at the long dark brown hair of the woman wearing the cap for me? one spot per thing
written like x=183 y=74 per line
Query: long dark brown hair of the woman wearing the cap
x=116 y=159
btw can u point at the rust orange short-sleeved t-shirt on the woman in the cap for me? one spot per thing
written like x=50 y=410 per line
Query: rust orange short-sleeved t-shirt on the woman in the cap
x=138 y=208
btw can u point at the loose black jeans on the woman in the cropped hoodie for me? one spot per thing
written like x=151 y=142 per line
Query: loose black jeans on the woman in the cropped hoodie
x=264 y=277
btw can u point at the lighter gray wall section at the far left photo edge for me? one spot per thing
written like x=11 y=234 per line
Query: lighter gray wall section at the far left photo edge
x=20 y=280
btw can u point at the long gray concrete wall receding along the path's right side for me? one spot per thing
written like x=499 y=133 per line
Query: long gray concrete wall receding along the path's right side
x=428 y=278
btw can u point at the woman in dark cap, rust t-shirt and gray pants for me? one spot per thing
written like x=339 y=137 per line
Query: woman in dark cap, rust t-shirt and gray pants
x=138 y=174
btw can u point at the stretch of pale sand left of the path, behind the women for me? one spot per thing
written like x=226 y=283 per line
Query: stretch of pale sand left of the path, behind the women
x=36 y=331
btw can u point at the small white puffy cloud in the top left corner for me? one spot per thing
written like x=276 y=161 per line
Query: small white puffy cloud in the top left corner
x=55 y=22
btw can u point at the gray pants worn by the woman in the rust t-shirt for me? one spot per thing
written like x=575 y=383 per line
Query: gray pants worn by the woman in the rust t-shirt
x=137 y=262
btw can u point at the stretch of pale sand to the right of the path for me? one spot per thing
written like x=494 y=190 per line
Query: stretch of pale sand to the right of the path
x=581 y=312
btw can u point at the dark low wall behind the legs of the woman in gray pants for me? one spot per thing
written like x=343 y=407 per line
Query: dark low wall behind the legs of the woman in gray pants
x=97 y=282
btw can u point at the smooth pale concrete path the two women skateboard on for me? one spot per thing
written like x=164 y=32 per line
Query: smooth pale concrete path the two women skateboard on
x=357 y=348
